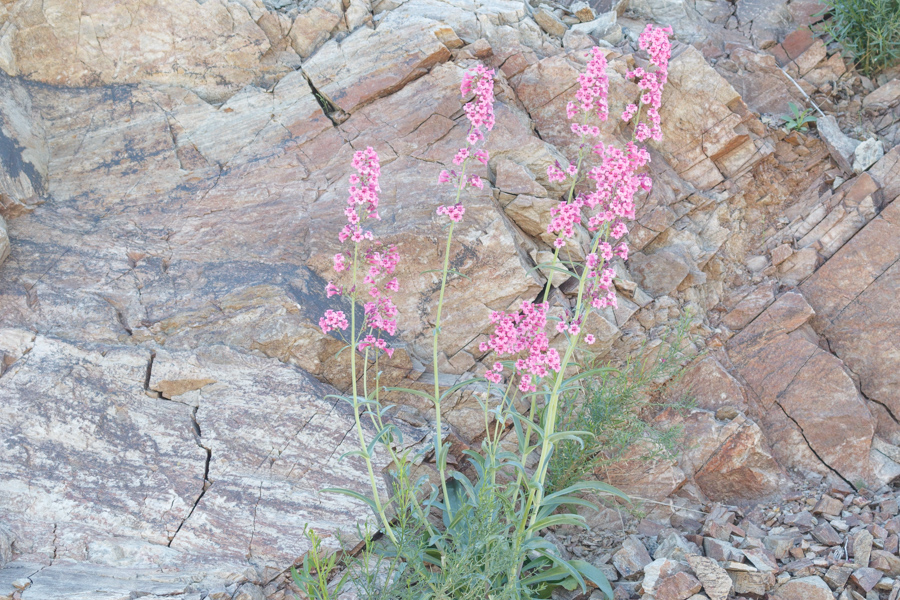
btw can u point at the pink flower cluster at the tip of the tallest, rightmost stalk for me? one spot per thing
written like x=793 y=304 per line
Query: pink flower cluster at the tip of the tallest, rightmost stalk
x=655 y=40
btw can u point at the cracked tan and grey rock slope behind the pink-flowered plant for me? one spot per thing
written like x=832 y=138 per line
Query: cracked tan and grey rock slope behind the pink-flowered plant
x=170 y=192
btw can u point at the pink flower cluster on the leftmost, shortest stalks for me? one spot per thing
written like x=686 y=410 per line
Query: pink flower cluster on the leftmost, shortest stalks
x=362 y=204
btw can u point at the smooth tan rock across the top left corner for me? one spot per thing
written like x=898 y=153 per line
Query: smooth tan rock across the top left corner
x=214 y=48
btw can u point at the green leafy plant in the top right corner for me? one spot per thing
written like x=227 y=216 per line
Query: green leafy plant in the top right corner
x=868 y=30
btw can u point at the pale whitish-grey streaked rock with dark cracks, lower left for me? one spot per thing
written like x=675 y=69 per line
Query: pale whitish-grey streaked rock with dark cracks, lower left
x=196 y=477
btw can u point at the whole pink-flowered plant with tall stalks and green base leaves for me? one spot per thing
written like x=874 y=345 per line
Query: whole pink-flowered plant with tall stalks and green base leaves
x=481 y=538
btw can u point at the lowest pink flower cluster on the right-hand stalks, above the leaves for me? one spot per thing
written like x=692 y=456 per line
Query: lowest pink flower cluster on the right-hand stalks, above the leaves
x=523 y=332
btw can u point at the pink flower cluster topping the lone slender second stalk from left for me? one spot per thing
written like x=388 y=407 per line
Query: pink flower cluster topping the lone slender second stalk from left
x=480 y=113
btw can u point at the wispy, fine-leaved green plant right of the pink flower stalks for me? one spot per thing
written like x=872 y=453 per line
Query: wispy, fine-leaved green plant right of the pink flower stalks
x=610 y=411
